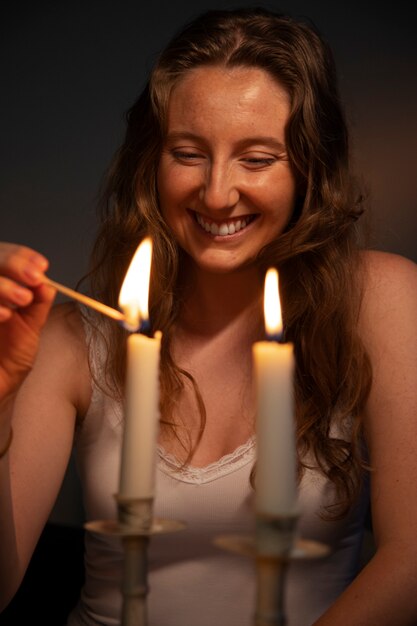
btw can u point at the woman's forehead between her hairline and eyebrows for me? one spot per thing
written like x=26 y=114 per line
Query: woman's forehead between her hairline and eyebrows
x=211 y=95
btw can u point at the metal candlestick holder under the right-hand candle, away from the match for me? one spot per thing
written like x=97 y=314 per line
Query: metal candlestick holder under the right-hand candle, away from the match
x=273 y=546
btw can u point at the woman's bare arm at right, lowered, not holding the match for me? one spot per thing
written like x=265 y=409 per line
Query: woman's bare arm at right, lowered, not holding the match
x=384 y=593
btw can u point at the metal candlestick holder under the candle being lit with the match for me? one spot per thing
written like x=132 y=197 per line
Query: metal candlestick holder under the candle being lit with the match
x=135 y=525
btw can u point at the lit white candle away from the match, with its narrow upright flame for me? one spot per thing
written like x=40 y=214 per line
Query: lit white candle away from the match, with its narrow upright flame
x=276 y=482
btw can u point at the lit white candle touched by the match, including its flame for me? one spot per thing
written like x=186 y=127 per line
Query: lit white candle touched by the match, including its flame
x=141 y=419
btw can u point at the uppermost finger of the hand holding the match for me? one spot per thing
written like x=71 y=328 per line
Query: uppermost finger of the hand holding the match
x=22 y=264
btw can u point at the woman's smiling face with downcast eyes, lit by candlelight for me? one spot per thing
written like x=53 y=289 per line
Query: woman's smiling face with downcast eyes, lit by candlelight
x=225 y=184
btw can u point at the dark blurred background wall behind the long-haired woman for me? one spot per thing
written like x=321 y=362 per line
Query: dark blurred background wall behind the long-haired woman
x=69 y=70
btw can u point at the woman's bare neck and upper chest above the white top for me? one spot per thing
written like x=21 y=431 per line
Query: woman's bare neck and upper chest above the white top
x=214 y=343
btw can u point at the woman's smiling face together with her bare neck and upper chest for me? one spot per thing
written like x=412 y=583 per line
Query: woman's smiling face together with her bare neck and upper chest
x=223 y=168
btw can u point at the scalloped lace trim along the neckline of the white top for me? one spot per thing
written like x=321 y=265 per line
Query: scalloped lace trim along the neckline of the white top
x=227 y=464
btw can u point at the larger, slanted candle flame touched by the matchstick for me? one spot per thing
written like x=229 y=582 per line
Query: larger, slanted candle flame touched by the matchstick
x=133 y=297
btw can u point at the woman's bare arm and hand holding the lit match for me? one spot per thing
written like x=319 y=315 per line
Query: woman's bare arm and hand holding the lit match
x=45 y=384
